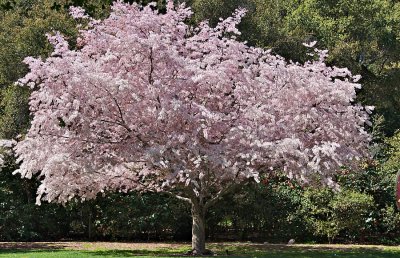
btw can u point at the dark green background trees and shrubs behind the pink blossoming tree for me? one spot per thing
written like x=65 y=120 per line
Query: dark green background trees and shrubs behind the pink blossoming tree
x=361 y=35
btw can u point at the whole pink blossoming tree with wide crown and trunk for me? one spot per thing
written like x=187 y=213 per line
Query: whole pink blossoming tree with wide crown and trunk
x=148 y=103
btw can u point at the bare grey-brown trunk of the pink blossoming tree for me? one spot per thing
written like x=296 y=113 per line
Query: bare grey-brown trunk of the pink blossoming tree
x=198 y=230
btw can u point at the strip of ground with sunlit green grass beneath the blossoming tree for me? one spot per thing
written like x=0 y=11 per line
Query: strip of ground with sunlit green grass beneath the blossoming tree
x=111 y=250
